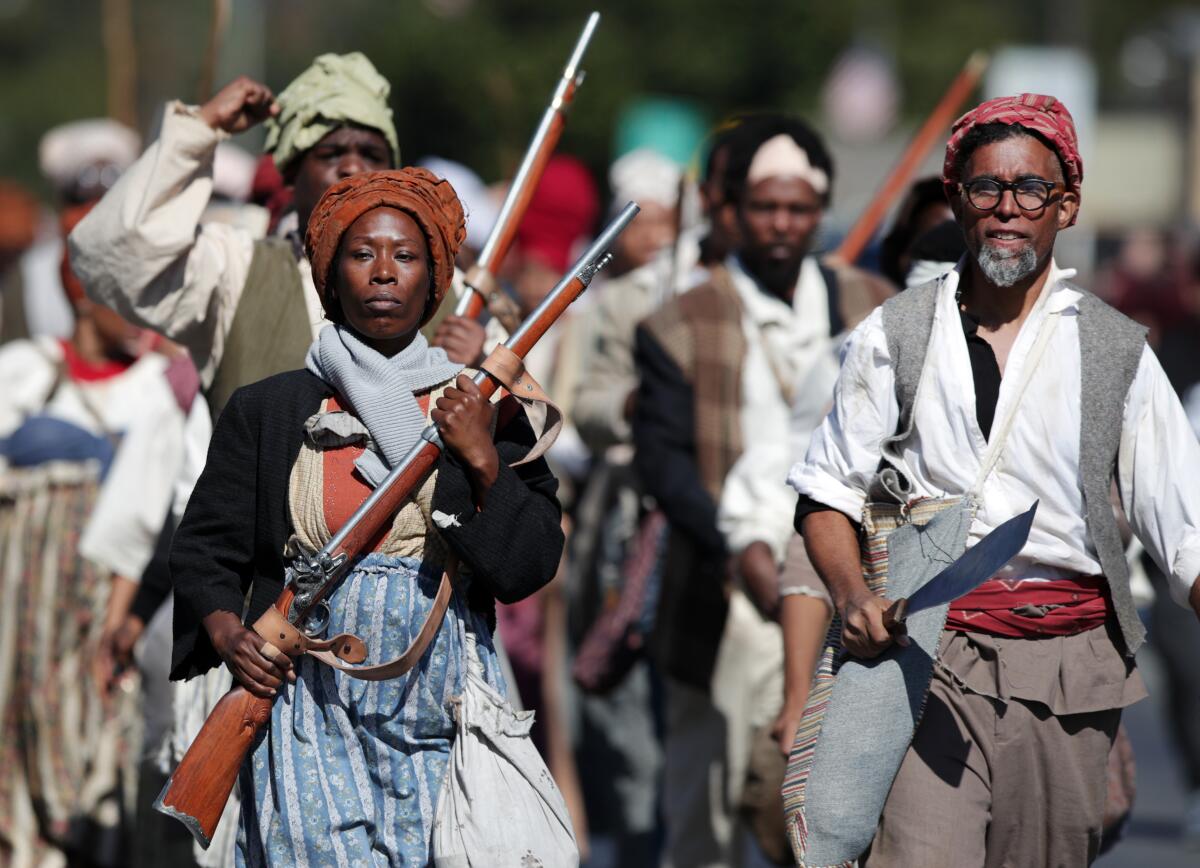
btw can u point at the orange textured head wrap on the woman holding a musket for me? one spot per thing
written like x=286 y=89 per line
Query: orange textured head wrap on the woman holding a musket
x=427 y=199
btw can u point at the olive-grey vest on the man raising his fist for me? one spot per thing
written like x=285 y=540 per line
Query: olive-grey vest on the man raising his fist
x=271 y=331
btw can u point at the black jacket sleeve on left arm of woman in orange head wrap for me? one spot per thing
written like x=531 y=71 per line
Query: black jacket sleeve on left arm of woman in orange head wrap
x=213 y=553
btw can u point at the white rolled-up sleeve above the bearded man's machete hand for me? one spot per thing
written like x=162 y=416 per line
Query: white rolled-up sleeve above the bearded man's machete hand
x=844 y=453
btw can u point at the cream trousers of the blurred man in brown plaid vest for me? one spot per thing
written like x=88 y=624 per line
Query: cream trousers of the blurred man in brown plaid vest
x=710 y=738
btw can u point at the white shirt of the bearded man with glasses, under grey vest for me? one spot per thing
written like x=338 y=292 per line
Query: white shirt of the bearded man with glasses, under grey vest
x=1159 y=463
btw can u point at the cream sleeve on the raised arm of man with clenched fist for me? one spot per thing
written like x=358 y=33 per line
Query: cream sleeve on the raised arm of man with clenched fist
x=145 y=253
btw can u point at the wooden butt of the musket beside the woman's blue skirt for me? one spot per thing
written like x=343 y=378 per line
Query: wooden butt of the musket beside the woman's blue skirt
x=199 y=789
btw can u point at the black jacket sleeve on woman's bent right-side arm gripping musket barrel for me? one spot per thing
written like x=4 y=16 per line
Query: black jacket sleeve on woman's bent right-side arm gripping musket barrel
x=515 y=543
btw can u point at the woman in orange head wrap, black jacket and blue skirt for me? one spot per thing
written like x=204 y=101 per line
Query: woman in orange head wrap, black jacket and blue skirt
x=350 y=773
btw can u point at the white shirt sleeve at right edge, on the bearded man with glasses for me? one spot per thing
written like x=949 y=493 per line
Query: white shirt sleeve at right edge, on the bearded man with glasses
x=1159 y=466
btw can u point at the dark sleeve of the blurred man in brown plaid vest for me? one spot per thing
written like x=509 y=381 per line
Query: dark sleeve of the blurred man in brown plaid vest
x=665 y=441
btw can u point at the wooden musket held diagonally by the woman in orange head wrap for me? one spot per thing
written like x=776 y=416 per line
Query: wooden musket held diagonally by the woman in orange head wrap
x=200 y=787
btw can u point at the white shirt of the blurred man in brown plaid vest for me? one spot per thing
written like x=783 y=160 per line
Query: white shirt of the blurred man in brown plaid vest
x=789 y=343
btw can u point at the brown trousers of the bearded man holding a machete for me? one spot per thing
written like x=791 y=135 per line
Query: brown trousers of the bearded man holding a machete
x=995 y=785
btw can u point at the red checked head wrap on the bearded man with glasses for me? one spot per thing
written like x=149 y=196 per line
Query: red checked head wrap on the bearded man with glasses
x=1042 y=115
